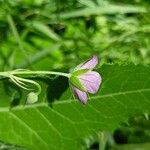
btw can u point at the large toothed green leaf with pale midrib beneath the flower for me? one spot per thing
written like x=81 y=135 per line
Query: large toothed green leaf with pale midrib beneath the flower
x=125 y=91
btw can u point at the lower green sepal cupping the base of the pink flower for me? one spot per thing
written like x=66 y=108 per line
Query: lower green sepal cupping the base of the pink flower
x=76 y=82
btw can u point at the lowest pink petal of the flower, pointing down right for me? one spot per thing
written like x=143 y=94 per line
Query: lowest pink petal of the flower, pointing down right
x=80 y=95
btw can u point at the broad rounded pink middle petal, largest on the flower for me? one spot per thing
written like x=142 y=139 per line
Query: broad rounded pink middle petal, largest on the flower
x=91 y=81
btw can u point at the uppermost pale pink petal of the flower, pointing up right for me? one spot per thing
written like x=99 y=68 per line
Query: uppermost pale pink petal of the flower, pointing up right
x=89 y=64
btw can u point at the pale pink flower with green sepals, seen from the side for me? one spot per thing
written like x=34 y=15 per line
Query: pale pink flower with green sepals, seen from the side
x=83 y=80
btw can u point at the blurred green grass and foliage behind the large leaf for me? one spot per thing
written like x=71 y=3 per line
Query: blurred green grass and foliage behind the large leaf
x=63 y=33
